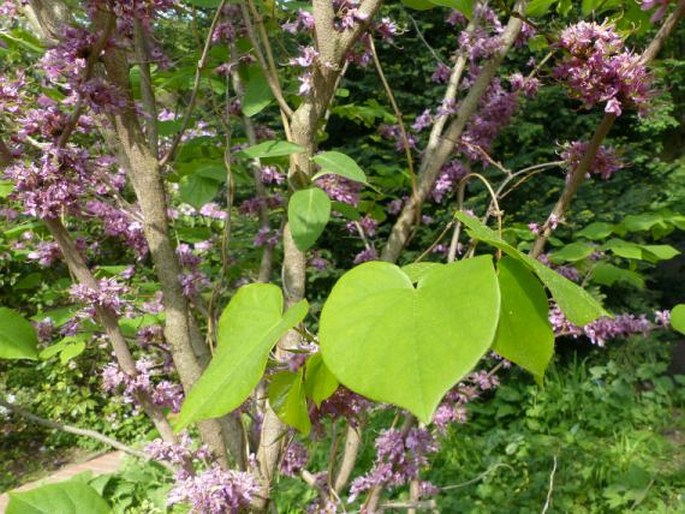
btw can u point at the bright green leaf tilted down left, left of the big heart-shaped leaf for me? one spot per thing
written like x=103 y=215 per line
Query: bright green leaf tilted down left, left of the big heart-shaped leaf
x=248 y=329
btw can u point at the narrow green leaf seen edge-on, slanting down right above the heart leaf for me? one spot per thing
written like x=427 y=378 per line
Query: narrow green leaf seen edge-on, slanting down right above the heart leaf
x=576 y=303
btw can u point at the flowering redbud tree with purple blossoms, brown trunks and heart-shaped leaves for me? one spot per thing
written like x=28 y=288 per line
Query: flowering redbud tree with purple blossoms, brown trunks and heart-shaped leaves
x=174 y=159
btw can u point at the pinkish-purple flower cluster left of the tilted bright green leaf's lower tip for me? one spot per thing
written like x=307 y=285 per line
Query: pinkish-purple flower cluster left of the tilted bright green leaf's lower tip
x=163 y=393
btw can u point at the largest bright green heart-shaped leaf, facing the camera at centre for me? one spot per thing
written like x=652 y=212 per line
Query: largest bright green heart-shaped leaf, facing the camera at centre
x=387 y=340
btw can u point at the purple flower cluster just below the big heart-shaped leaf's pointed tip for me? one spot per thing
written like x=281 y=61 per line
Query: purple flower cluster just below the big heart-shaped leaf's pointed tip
x=399 y=460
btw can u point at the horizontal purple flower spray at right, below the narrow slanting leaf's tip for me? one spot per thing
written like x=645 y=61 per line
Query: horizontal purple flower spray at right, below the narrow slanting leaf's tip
x=601 y=330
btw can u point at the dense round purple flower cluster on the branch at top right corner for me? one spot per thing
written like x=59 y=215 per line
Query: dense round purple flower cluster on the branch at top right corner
x=597 y=69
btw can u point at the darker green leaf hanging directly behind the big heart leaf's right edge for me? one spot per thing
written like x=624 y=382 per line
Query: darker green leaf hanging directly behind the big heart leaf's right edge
x=524 y=334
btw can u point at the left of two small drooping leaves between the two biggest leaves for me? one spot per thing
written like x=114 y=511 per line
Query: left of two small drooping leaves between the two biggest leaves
x=287 y=399
